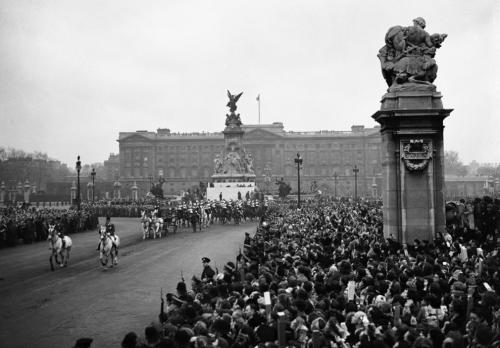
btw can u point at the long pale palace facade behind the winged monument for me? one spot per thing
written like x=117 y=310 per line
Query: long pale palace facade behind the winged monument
x=184 y=160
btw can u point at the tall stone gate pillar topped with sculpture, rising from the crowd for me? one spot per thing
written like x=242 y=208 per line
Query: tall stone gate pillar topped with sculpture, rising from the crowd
x=411 y=118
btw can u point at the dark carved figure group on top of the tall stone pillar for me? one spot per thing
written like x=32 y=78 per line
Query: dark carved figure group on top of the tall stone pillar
x=407 y=59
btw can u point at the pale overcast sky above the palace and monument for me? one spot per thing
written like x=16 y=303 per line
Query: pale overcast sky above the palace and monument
x=73 y=74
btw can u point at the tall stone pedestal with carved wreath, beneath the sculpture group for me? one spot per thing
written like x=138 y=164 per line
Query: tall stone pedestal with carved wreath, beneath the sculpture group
x=413 y=174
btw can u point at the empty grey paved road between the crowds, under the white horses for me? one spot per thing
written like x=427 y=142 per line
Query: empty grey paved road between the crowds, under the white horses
x=53 y=309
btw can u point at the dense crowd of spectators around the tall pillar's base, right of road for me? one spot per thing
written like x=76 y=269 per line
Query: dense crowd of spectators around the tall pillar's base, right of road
x=325 y=276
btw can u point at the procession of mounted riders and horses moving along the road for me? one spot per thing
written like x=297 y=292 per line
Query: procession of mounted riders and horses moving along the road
x=156 y=223
